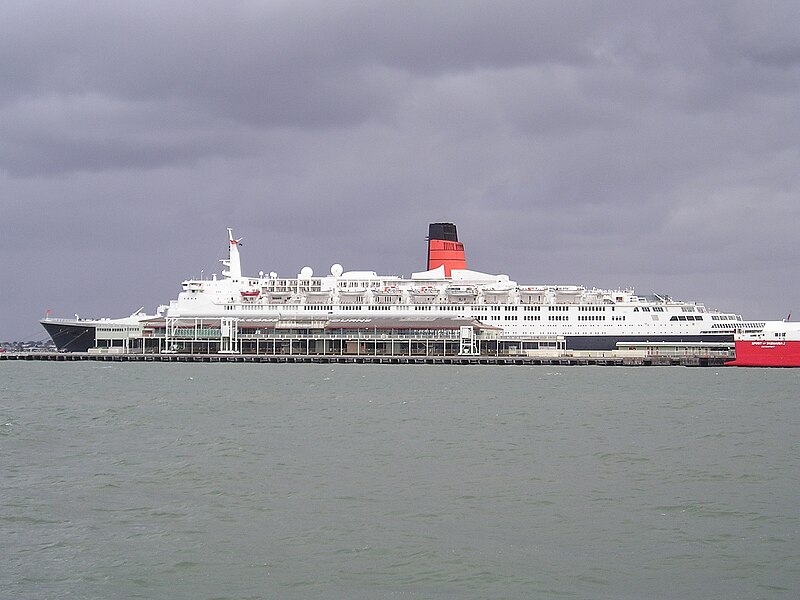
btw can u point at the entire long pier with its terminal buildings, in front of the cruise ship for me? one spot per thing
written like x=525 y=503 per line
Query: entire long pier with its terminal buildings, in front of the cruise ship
x=445 y=341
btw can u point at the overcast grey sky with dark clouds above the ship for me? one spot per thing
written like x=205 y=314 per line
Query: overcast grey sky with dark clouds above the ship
x=611 y=144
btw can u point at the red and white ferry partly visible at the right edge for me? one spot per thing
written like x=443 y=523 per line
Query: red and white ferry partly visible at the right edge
x=776 y=345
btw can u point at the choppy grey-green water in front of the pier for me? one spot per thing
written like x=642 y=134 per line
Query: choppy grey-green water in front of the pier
x=359 y=481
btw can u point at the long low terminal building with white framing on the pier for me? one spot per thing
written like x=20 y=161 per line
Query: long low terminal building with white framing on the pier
x=318 y=337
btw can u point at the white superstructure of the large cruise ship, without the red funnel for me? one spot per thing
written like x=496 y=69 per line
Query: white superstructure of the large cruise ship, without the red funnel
x=586 y=318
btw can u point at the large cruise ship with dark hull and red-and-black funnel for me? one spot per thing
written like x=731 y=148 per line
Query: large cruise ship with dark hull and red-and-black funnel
x=446 y=291
